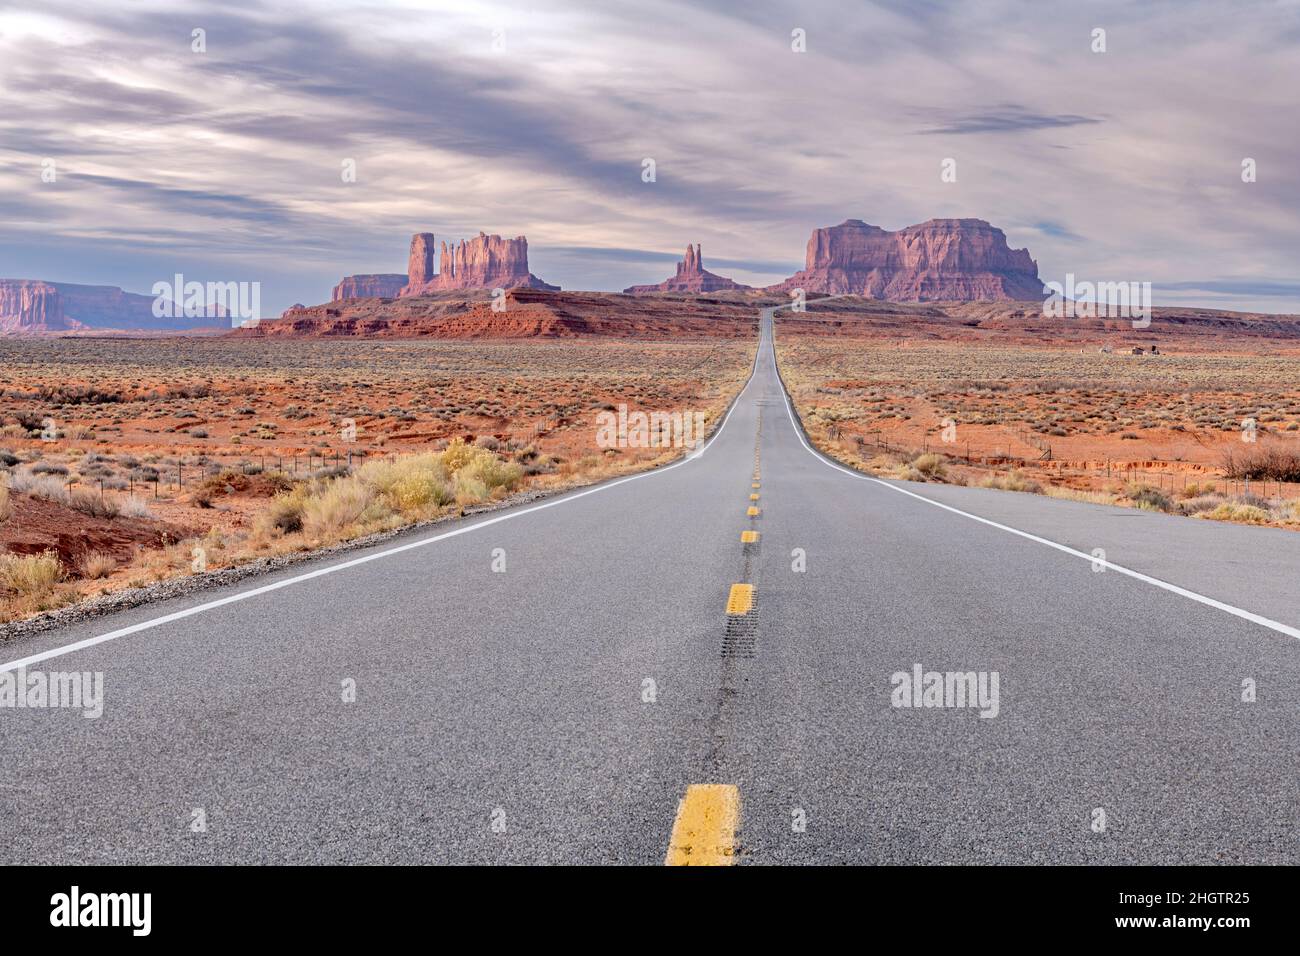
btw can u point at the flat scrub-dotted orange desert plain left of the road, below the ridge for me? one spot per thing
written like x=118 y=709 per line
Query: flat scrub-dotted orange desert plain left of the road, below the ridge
x=120 y=457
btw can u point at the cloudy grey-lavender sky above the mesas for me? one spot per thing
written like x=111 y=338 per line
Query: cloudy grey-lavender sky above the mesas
x=536 y=119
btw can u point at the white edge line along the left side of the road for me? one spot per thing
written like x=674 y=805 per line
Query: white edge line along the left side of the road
x=388 y=552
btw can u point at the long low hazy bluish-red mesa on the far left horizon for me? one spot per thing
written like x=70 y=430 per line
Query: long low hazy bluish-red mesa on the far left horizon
x=32 y=305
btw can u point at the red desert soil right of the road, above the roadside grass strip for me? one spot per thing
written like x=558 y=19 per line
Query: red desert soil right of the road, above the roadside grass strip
x=1065 y=400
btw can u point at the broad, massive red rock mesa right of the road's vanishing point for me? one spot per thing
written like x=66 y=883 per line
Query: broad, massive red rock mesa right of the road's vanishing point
x=944 y=259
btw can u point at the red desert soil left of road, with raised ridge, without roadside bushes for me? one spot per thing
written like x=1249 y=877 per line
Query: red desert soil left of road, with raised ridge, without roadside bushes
x=183 y=425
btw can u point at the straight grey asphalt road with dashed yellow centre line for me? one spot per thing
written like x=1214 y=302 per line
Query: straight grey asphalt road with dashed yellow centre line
x=504 y=717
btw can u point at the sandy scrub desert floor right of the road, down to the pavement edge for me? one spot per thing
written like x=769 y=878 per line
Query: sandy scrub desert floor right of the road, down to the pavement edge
x=1069 y=419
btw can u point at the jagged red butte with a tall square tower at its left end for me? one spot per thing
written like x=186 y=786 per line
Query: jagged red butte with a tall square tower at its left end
x=484 y=262
